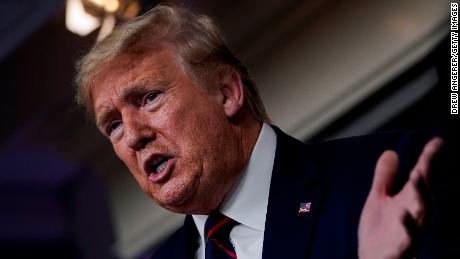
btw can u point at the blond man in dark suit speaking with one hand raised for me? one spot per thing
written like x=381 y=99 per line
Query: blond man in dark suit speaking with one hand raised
x=184 y=116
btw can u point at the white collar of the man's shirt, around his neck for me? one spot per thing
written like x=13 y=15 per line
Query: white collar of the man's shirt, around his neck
x=248 y=199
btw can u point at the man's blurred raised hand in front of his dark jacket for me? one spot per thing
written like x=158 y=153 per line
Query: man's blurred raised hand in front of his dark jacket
x=389 y=225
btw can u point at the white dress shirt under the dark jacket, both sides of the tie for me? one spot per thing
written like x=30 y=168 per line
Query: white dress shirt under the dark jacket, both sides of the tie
x=247 y=201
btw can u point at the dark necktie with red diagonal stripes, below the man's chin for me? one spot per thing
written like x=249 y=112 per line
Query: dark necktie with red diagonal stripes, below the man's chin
x=217 y=231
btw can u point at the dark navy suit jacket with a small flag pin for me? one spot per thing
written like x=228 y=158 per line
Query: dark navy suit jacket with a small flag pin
x=335 y=177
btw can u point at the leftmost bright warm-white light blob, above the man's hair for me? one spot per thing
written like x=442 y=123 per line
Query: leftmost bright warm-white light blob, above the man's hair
x=77 y=20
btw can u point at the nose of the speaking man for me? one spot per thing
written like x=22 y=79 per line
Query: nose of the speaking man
x=137 y=132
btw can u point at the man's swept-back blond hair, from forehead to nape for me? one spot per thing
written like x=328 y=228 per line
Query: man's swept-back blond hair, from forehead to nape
x=197 y=39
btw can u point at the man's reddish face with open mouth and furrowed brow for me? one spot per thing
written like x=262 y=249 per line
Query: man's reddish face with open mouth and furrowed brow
x=174 y=137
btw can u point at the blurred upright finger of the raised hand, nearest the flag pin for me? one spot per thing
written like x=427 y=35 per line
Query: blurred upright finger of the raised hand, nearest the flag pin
x=385 y=172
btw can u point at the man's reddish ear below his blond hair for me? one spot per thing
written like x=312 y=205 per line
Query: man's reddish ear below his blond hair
x=231 y=92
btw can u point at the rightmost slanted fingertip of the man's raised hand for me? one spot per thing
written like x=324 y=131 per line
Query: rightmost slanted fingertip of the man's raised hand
x=425 y=158
